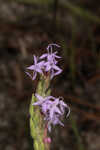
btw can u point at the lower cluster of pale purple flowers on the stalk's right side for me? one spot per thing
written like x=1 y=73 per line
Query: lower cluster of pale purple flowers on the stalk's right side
x=52 y=108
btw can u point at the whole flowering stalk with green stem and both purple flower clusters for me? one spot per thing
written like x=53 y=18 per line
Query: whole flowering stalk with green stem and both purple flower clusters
x=45 y=110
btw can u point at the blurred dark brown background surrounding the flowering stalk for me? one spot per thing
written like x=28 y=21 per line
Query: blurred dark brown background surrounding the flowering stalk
x=26 y=28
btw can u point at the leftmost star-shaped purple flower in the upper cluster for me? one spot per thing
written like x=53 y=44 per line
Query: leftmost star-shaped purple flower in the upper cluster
x=37 y=67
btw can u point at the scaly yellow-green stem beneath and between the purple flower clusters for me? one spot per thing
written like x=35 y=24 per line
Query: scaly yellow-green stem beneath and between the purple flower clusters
x=37 y=125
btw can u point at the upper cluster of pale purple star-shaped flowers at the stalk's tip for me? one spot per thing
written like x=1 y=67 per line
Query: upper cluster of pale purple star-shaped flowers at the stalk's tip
x=45 y=63
